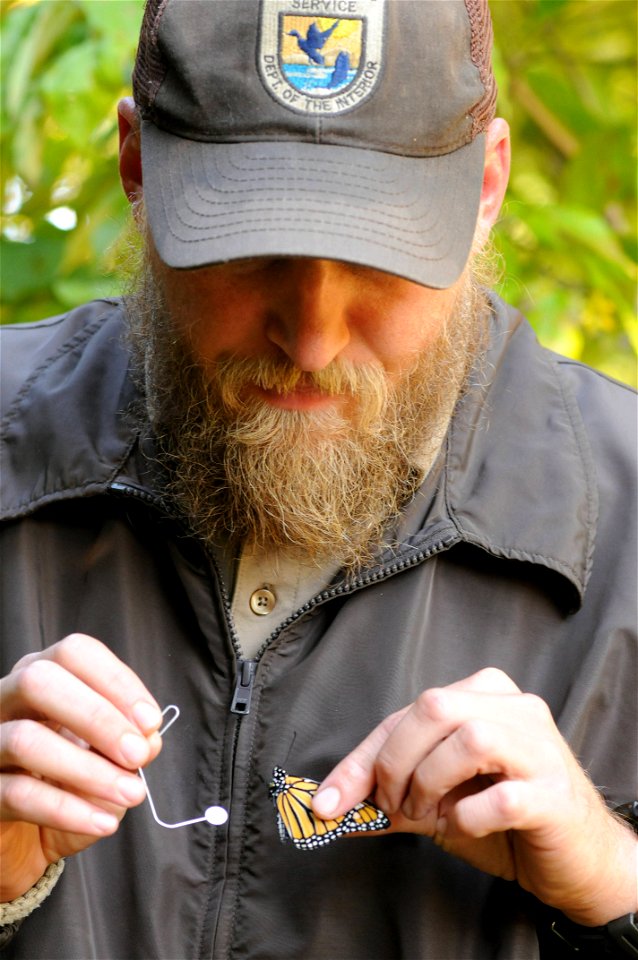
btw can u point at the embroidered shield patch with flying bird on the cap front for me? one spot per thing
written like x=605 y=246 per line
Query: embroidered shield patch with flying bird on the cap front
x=321 y=56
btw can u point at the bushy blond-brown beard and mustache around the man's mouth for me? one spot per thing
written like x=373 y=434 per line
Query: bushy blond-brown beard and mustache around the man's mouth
x=317 y=485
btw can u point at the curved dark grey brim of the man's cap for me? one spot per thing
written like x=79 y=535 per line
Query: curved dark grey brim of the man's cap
x=209 y=203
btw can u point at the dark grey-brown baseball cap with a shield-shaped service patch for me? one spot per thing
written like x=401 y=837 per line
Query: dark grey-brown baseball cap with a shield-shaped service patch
x=339 y=129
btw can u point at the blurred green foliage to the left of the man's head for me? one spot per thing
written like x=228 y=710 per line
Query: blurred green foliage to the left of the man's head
x=65 y=64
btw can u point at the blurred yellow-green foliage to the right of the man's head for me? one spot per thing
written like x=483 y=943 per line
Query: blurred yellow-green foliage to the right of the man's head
x=568 y=231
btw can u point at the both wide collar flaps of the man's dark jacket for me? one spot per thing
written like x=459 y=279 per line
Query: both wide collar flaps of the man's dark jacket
x=515 y=478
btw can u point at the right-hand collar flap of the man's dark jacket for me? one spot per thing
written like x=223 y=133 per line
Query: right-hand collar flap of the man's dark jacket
x=516 y=477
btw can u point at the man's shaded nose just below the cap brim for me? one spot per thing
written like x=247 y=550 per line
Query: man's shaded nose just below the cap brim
x=308 y=318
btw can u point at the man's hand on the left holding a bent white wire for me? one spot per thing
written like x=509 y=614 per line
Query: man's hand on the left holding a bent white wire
x=76 y=724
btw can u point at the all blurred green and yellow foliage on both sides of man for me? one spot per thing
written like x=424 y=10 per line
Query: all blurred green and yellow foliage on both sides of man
x=567 y=78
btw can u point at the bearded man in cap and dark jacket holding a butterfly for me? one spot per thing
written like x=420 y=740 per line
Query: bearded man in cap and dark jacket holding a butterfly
x=319 y=495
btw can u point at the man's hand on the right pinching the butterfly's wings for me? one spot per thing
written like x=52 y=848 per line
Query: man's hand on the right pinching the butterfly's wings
x=482 y=768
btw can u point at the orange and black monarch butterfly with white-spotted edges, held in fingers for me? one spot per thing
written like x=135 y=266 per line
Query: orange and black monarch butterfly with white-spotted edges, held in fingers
x=292 y=797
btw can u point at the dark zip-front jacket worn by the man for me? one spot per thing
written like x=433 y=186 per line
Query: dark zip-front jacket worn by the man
x=518 y=552
